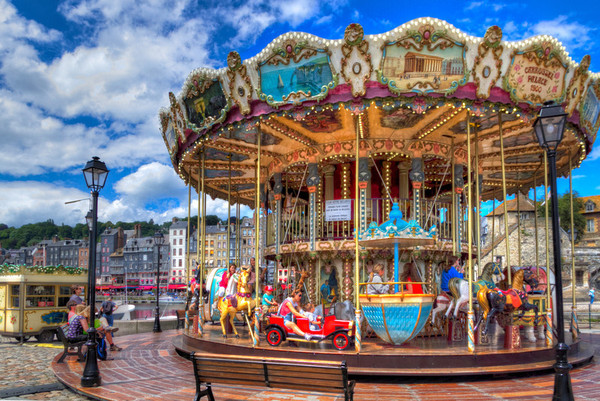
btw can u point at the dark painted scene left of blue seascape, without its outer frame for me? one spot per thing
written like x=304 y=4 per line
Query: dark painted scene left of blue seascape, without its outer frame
x=206 y=105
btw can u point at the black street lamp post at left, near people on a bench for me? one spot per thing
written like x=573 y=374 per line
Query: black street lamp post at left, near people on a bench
x=95 y=173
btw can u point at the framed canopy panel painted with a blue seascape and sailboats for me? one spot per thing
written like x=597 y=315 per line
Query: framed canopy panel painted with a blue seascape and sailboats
x=296 y=72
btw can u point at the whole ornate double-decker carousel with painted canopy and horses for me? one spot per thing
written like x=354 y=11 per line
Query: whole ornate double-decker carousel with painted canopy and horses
x=378 y=150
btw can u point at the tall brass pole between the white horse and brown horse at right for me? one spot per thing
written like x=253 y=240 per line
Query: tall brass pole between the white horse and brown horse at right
x=471 y=314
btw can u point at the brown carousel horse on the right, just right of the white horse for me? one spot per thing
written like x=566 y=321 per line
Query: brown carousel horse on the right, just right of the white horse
x=496 y=301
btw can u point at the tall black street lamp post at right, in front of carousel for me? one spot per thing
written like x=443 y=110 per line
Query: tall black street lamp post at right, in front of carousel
x=549 y=128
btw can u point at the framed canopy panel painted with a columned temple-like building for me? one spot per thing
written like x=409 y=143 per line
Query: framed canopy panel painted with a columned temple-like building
x=424 y=61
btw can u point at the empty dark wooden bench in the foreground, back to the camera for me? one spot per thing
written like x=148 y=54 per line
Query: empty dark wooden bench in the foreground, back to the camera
x=319 y=376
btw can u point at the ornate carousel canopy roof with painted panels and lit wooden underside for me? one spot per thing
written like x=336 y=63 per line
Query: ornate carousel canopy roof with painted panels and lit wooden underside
x=407 y=93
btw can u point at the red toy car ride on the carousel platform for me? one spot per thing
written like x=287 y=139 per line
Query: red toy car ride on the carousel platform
x=341 y=332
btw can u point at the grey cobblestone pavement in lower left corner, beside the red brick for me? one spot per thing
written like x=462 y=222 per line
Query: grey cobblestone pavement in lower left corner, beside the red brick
x=28 y=365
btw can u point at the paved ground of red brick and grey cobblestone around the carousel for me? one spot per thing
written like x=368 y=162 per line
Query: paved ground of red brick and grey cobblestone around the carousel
x=149 y=369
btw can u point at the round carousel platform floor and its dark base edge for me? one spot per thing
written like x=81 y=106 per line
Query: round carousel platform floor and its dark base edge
x=432 y=356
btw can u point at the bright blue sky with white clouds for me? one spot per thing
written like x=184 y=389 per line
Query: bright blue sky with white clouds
x=83 y=78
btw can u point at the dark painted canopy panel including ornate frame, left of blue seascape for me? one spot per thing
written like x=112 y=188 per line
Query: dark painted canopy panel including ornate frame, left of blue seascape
x=205 y=102
